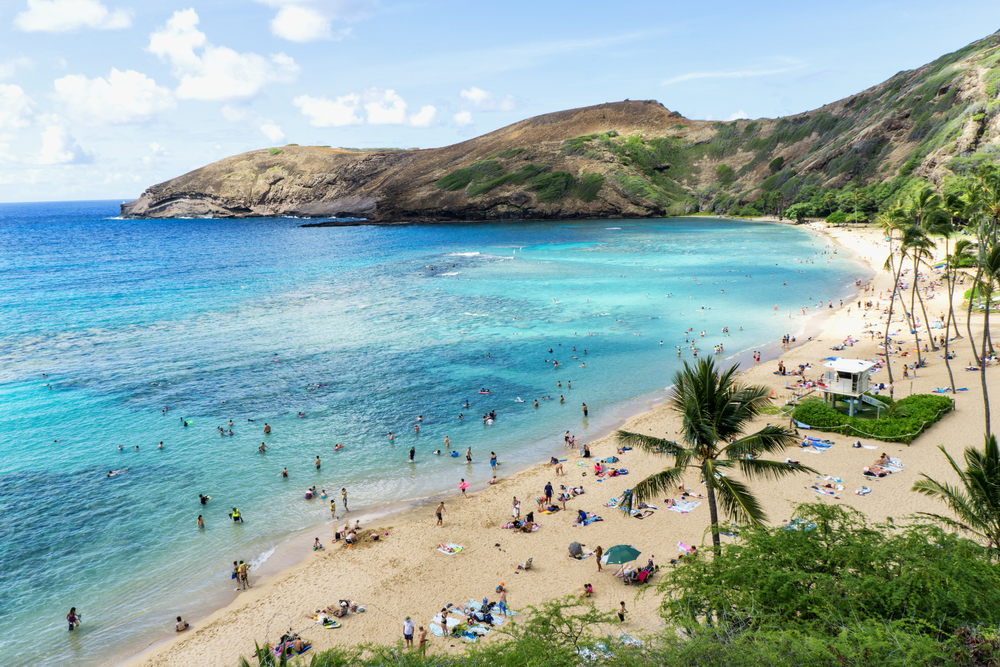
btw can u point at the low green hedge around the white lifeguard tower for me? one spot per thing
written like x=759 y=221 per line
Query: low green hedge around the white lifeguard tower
x=906 y=420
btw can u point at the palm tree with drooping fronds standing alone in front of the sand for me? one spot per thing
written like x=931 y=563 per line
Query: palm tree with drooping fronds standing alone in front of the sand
x=716 y=409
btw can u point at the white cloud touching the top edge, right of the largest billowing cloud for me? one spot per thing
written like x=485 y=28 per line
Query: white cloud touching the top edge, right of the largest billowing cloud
x=312 y=20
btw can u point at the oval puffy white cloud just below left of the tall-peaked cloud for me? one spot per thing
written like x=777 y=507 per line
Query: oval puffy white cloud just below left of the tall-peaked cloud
x=124 y=97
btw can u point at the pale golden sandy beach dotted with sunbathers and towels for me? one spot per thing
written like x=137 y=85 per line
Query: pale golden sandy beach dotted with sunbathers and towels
x=403 y=574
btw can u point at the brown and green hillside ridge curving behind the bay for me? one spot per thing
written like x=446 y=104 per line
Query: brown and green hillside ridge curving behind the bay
x=624 y=159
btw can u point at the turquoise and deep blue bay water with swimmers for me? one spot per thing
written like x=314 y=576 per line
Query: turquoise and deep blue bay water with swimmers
x=362 y=329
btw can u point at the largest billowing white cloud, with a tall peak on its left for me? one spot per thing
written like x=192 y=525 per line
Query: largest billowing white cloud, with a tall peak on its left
x=217 y=73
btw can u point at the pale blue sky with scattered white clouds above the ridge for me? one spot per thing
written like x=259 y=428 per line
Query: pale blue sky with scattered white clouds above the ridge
x=100 y=99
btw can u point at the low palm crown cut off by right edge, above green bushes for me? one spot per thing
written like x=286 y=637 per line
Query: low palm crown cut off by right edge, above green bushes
x=976 y=502
